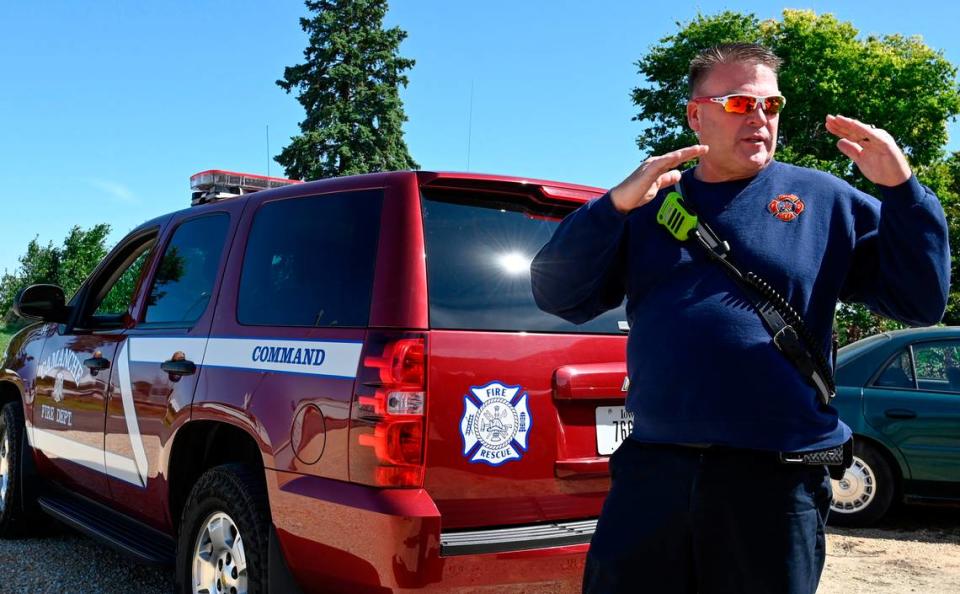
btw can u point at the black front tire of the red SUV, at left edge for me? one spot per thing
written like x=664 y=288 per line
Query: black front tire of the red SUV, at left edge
x=16 y=515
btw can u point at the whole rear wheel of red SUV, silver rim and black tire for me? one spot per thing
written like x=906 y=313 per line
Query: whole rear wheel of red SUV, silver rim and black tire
x=224 y=534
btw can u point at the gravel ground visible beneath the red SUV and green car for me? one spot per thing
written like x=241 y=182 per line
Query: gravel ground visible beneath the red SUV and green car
x=917 y=549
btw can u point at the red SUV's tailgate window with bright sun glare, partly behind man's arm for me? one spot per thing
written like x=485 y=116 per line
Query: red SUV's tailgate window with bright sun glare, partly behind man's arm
x=479 y=250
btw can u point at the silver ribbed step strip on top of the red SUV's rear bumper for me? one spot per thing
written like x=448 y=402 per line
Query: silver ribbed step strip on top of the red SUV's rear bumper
x=516 y=538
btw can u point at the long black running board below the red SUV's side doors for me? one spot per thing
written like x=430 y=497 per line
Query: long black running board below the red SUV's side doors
x=143 y=543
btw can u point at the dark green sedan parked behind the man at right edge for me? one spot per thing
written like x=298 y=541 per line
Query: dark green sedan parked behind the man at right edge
x=900 y=394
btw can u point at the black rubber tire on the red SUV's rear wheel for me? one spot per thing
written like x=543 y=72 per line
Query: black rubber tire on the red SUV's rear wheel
x=239 y=493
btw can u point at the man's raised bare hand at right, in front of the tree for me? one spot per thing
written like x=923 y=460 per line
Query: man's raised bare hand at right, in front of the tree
x=873 y=150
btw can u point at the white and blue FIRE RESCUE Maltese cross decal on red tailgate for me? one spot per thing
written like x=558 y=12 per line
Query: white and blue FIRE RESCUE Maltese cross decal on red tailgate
x=496 y=423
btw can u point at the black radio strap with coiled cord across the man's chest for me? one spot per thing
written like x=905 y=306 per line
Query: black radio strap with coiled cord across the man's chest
x=790 y=334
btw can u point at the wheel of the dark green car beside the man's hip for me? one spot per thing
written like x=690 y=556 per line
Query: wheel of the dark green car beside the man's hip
x=865 y=492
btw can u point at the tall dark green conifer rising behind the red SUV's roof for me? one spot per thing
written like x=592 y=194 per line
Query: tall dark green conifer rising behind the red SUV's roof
x=349 y=87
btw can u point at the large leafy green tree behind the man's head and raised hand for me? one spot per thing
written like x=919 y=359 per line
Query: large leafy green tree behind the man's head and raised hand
x=893 y=81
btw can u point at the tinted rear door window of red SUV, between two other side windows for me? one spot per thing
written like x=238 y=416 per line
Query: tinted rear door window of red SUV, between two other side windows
x=183 y=282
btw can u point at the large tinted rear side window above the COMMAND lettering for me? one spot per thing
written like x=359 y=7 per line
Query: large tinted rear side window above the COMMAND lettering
x=310 y=261
